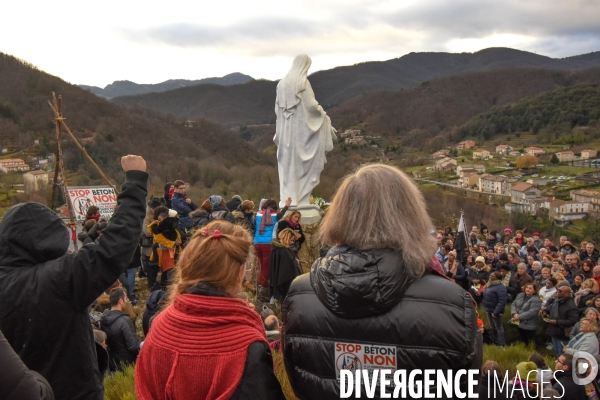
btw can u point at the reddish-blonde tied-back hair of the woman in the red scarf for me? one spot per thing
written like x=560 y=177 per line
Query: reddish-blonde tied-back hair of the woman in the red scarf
x=214 y=255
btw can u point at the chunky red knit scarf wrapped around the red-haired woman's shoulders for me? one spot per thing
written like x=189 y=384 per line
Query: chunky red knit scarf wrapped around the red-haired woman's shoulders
x=197 y=348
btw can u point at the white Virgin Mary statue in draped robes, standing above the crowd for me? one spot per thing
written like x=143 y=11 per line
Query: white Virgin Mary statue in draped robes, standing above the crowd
x=303 y=135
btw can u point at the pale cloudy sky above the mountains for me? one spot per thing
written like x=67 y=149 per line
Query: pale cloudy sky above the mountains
x=151 y=41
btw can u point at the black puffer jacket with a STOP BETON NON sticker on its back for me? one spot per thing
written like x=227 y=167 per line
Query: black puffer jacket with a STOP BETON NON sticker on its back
x=365 y=297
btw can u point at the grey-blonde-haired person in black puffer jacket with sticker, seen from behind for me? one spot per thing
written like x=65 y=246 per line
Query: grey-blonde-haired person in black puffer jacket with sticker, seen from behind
x=378 y=285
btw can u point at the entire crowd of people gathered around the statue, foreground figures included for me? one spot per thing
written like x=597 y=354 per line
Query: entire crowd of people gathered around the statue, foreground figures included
x=383 y=279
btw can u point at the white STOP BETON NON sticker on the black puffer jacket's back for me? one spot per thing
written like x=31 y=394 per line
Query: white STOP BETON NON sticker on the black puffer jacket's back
x=361 y=356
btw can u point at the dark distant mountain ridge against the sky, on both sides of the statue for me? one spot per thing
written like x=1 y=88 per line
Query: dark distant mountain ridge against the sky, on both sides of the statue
x=336 y=86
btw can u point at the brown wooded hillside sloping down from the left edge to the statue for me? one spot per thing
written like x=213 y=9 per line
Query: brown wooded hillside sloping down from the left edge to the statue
x=199 y=154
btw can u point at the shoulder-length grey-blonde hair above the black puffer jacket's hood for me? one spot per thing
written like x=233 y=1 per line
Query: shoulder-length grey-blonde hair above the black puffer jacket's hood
x=379 y=207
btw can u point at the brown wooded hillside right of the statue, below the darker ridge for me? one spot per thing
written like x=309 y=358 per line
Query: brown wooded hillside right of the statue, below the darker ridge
x=431 y=114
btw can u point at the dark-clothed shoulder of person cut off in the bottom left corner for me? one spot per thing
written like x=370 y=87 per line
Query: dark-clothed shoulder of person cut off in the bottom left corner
x=19 y=382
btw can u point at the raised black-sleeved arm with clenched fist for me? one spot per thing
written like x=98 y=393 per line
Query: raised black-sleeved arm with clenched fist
x=85 y=274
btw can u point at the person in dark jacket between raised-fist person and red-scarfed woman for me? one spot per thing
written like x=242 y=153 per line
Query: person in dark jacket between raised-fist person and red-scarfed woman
x=123 y=345
